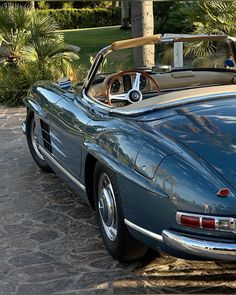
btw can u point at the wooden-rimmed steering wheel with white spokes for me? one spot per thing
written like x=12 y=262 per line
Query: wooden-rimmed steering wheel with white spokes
x=134 y=94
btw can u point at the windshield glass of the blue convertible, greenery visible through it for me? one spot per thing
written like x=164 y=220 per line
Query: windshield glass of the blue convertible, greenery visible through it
x=170 y=55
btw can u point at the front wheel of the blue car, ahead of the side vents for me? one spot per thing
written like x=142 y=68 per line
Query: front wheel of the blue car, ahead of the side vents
x=32 y=143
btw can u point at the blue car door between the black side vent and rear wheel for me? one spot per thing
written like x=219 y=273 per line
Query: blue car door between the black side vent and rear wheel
x=67 y=121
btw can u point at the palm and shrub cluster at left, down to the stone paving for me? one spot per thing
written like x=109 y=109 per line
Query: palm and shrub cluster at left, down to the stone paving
x=31 y=49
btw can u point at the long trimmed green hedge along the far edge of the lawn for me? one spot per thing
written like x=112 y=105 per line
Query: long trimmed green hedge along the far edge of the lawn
x=85 y=17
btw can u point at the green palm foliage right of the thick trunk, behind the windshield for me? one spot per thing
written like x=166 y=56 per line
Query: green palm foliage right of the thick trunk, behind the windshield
x=196 y=17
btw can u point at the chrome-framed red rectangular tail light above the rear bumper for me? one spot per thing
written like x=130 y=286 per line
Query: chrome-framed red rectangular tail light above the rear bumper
x=206 y=222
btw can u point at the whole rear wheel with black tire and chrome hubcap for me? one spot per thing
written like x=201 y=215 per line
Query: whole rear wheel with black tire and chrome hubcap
x=117 y=239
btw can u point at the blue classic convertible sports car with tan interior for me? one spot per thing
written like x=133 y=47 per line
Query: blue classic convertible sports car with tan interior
x=151 y=149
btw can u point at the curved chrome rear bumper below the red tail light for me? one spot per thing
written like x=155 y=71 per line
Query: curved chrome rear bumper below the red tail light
x=199 y=247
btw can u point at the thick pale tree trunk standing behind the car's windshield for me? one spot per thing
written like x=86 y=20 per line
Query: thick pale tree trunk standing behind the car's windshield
x=142 y=24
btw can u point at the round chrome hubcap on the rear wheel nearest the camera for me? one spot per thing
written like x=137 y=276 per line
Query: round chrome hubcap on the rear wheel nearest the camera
x=107 y=206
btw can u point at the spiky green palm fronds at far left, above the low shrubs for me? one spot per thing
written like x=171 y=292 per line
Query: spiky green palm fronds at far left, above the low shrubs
x=28 y=37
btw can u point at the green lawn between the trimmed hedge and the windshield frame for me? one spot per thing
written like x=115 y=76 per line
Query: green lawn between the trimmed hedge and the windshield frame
x=93 y=39
